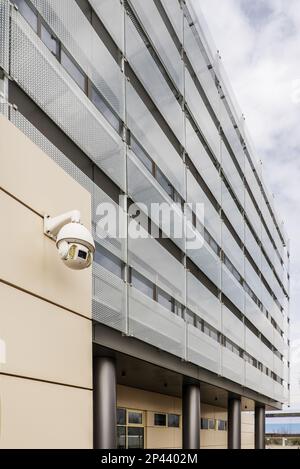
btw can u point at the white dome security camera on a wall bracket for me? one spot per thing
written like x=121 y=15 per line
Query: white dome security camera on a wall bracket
x=74 y=242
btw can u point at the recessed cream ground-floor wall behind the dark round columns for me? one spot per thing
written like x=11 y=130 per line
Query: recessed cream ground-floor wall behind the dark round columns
x=168 y=438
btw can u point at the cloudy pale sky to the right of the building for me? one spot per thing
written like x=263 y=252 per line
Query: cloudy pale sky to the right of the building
x=259 y=42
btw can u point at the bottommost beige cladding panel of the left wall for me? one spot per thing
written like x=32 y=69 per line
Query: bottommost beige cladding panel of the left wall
x=42 y=415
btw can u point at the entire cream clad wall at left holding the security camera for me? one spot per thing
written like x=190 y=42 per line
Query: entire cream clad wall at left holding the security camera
x=45 y=308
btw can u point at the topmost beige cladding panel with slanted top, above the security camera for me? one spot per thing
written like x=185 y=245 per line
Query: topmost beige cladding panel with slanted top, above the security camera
x=32 y=177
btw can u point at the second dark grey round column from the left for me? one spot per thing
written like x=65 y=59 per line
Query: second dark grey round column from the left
x=191 y=416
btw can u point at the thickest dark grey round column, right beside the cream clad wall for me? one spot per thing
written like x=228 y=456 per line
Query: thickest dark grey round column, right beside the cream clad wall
x=105 y=403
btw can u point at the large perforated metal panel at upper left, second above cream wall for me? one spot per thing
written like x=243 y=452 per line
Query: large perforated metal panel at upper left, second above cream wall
x=49 y=85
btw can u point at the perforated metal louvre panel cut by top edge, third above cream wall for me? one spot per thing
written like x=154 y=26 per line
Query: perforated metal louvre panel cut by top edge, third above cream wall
x=79 y=38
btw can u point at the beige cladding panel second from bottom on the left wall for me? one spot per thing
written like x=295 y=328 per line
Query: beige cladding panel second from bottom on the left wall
x=44 y=341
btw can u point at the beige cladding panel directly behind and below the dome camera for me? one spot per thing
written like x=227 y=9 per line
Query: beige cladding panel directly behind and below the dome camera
x=30 y=260
